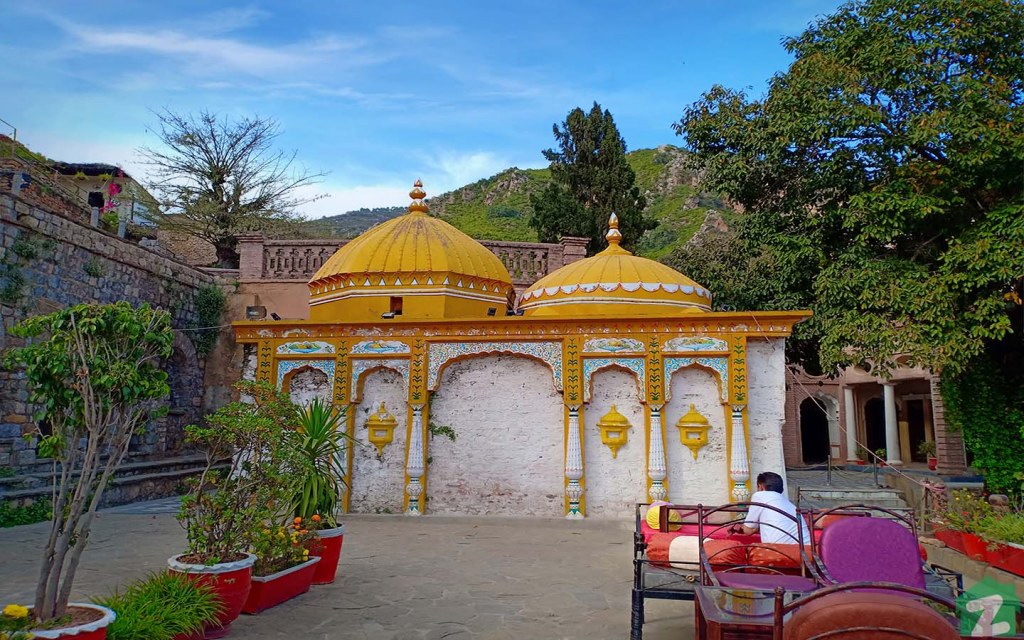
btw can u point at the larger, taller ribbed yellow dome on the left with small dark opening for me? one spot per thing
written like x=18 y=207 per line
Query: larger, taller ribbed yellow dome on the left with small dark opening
x=414 y=267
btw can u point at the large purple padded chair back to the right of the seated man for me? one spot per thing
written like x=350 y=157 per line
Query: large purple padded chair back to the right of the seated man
x=873 y=550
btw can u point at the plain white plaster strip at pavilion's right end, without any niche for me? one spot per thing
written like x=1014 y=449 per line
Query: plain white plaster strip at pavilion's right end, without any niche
x=766 y=405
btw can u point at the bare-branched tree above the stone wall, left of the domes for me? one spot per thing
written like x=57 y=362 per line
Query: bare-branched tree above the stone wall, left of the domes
x=218 y=178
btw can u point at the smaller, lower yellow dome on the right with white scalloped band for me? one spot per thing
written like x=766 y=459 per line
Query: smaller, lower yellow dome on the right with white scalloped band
x=615 y=283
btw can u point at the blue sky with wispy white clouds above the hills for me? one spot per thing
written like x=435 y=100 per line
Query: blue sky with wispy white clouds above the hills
x=380 y=94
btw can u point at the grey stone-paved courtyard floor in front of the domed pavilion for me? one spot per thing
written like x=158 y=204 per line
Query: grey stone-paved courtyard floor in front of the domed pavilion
x=402 y=578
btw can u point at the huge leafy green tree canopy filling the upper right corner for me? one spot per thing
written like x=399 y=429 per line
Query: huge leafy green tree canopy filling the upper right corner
x=882 y=181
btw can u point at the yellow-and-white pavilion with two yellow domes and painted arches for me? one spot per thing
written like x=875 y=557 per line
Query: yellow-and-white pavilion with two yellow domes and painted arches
x=577 y=400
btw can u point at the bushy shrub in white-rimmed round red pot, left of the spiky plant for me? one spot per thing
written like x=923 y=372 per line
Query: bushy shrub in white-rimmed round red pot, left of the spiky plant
x=247 y=481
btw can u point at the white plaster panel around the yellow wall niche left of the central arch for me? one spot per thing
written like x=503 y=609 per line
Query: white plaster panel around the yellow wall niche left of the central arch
x=378 y=485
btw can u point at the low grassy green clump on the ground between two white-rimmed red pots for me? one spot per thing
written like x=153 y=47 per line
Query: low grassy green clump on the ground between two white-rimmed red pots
x=161 y=607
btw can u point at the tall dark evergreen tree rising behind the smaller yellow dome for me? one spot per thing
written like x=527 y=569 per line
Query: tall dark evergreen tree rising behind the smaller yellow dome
x=590 y=181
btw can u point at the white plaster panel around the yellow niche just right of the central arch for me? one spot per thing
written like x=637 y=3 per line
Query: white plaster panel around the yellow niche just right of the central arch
x=614 y=485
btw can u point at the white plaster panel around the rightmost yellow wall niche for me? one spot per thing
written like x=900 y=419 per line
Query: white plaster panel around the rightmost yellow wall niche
x=705 y=481
